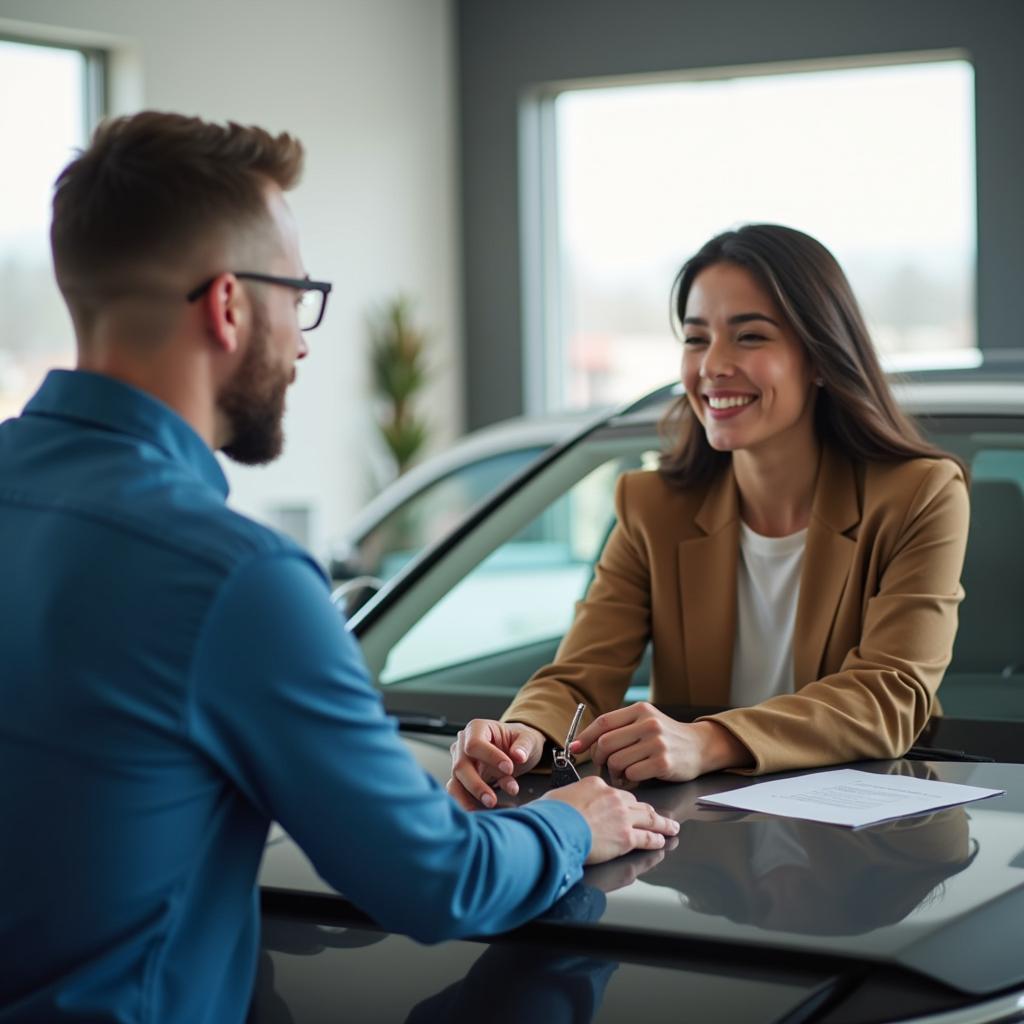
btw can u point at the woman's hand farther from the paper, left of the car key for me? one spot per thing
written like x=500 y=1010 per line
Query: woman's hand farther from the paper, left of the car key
x=490 y=754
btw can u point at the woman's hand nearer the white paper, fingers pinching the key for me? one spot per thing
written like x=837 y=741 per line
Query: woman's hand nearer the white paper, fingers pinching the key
x=642 y=743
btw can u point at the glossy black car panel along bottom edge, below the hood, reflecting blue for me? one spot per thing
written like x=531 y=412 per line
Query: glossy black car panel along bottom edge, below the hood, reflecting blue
x=315 y=974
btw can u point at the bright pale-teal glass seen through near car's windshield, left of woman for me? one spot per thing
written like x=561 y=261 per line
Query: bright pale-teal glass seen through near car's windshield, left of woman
x=525 y=591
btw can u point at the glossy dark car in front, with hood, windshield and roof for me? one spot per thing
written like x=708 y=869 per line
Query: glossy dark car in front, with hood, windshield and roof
x=746 y=918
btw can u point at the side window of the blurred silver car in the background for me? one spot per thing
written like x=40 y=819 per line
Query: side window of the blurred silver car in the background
x=431 y=514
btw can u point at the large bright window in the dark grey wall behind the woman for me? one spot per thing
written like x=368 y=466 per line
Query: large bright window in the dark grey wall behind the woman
x=624 y=184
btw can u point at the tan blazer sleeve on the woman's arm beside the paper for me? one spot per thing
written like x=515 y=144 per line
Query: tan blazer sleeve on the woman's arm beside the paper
x=878 y=702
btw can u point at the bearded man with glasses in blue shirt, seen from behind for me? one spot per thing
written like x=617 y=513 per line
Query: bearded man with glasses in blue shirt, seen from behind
x=175 y=675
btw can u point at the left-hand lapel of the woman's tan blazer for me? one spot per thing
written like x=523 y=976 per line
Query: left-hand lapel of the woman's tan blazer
x=708 y=583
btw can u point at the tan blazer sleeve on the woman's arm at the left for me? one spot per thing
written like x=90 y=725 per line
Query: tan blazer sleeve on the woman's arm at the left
x=600 y=655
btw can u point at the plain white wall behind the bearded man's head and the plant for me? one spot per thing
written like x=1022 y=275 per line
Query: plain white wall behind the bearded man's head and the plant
x=368 y=86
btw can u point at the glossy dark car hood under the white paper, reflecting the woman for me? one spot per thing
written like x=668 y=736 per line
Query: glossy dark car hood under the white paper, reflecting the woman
x=935 y=897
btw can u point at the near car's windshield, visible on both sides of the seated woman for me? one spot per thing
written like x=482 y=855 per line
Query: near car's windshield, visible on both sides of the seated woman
x=494 y=607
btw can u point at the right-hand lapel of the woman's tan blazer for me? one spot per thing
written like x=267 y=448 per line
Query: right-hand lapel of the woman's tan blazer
x=828 y=558
